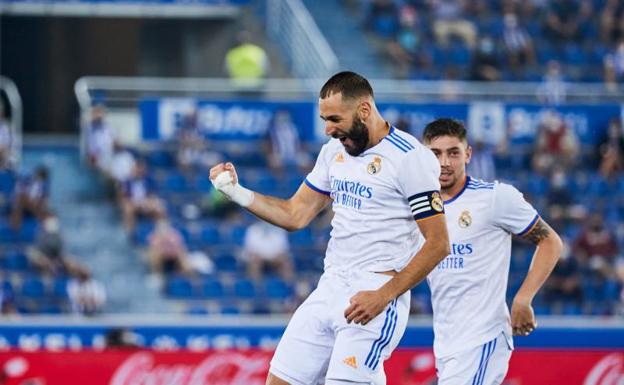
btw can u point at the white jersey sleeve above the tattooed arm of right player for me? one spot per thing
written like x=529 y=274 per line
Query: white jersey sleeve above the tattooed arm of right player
x=512 y=212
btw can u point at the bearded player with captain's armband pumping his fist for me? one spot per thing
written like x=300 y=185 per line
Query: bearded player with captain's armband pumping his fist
x=388 y=233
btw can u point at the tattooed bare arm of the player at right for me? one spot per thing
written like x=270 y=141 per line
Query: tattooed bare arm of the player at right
x=545 y=258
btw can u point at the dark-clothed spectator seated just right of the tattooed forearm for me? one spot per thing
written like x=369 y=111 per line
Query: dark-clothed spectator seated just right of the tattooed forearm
x=564 y=284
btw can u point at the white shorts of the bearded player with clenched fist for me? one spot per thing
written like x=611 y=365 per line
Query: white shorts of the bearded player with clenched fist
x=319 y=346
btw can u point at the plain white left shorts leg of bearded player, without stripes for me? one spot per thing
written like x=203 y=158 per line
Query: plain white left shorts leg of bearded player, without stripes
x=303 y=353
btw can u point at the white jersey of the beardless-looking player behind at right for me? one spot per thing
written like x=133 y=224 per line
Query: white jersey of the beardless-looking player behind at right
x=468 y=287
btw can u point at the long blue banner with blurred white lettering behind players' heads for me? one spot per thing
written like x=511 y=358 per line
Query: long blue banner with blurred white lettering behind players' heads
x=490 y=122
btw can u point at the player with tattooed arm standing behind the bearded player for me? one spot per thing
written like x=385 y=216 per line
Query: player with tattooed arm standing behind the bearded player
x=472 y=326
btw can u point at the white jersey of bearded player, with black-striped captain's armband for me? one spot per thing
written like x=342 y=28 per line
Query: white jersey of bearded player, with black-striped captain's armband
x=376 y=197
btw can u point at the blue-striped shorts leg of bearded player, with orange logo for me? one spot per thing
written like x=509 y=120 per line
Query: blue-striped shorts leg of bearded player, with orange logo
x=360 y=351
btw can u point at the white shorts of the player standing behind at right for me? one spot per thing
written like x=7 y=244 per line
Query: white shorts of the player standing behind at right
x=483 y=365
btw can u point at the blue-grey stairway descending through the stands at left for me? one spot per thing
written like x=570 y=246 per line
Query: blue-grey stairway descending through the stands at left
x=92 y=228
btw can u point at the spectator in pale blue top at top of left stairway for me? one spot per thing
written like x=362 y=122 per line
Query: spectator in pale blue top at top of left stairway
x=100 y=139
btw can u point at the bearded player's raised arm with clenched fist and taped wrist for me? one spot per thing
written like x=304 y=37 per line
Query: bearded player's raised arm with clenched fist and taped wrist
x=291 y=214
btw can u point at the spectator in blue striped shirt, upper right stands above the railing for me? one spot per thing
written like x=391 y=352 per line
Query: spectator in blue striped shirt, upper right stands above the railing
x=518 y=43
